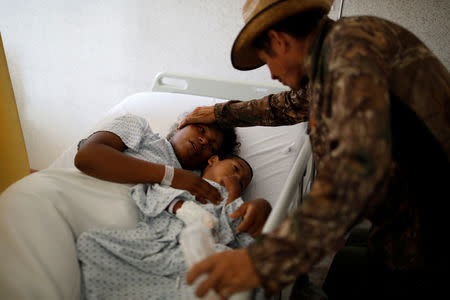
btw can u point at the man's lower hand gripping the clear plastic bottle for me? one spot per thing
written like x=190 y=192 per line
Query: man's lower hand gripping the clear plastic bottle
x=227 y=272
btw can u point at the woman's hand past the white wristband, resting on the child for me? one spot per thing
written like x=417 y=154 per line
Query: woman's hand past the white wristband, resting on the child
x=201 y=189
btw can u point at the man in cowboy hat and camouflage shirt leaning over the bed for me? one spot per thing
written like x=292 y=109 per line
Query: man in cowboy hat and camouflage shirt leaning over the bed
x=378 y=106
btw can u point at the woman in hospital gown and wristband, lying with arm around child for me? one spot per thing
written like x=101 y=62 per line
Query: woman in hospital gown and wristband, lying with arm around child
x=126 y=150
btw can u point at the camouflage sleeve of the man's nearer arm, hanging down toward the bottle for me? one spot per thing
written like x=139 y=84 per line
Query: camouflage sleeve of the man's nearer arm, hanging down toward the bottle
x=351 y=173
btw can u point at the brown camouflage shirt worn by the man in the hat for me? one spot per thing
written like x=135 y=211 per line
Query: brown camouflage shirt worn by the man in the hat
x=376 y=96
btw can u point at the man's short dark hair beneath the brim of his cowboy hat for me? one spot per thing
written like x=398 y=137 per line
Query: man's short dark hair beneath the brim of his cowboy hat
x=299 y=26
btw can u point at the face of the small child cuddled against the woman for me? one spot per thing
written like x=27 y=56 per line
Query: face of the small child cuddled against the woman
x=219 y=170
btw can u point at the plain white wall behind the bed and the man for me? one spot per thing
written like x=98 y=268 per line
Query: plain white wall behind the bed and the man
x=71 y=60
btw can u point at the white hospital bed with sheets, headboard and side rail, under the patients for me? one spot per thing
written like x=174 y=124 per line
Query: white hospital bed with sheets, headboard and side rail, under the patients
x=38 y=231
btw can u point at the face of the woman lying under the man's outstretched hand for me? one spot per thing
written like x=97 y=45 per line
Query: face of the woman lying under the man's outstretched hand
x=194 y=144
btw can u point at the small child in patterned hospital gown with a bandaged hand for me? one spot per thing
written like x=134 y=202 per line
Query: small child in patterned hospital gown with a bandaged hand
x=147 y=262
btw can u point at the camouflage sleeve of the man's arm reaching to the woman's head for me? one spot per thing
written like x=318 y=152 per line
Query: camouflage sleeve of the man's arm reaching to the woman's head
x=285 y=108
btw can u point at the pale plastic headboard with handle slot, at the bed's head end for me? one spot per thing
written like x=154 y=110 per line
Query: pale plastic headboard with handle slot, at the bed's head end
x=187 y=84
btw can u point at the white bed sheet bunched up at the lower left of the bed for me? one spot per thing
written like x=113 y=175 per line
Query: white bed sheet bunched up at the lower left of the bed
x=39 y=223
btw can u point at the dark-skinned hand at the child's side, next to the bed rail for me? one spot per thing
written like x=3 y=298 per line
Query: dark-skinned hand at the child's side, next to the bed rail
x=255 y=214
